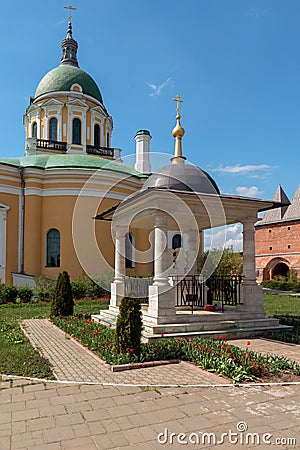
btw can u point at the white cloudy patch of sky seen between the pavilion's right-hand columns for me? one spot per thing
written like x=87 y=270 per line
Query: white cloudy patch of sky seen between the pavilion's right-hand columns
x=224 y=237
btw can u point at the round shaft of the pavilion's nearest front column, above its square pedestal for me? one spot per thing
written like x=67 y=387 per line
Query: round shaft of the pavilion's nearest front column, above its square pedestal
x=160 y=251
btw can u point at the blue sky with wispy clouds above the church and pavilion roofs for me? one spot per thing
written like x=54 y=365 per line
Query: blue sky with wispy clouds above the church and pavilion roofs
x=235 y=63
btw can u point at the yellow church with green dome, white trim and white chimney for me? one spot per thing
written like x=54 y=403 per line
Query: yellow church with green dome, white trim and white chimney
x=68 y=156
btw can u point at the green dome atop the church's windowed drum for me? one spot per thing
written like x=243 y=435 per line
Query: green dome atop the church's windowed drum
x=61 y=78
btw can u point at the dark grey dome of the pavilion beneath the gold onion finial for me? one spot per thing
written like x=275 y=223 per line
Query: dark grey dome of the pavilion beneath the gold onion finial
x=182 y=177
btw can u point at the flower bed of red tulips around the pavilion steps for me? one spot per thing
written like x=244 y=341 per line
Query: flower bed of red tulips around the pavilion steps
x=214 y=355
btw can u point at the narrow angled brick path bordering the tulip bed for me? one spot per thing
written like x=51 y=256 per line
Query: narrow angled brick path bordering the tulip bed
x=73 y=362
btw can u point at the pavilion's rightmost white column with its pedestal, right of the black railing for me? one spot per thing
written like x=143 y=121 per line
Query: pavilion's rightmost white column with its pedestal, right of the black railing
x=251 y=291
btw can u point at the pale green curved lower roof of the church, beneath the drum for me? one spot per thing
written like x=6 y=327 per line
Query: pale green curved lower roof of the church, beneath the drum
x=82 y=162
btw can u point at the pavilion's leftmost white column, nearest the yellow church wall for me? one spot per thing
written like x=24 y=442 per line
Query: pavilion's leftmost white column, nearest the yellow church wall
x=118 y=286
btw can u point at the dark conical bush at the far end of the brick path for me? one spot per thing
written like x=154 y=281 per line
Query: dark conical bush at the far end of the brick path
x=62 y=303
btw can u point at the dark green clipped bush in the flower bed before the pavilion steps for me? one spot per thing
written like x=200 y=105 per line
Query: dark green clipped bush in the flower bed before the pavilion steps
x=129 y=327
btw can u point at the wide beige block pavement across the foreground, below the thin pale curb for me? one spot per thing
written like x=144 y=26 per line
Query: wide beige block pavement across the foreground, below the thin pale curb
x=49 y=416
